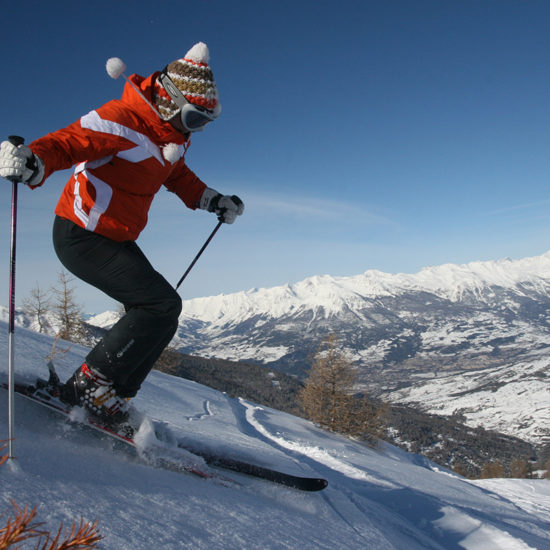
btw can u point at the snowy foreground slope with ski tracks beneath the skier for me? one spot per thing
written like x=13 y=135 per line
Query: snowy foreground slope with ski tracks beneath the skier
x=377 y=498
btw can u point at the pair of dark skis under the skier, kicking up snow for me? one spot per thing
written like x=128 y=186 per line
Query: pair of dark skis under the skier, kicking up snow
x=44 y=393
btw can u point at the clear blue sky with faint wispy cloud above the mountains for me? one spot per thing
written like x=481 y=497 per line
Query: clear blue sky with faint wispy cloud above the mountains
x=390 y=134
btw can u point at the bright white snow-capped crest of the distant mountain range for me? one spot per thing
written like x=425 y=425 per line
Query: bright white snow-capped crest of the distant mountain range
x=450 y=281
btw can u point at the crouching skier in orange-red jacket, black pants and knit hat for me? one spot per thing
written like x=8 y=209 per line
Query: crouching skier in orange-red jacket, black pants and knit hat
x=124 y=152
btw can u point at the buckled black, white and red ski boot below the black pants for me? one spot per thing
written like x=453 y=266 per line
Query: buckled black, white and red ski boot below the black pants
x=92 y=390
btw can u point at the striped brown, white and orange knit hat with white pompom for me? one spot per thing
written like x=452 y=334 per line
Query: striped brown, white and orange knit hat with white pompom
x=194 y=79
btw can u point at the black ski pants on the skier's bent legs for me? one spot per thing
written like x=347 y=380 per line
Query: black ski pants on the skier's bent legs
x=128 y=351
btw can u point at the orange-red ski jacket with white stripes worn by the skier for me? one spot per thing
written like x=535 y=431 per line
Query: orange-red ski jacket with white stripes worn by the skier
x=118 y=152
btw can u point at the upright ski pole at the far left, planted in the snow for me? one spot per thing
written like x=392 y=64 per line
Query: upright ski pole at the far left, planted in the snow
x=15 y=140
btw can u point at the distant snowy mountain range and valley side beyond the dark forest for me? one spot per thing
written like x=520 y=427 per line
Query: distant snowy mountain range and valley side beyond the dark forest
x=469 y=339
